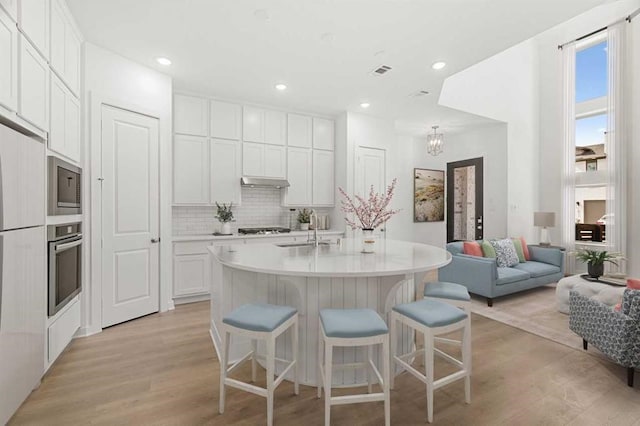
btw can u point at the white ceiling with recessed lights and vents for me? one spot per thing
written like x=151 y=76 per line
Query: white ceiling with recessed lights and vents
x=323 y=50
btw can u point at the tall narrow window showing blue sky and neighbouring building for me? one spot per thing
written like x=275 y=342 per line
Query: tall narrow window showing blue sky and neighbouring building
x=591 y=85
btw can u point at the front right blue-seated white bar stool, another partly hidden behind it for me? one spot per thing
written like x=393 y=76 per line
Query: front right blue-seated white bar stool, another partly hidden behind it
x=433 y=318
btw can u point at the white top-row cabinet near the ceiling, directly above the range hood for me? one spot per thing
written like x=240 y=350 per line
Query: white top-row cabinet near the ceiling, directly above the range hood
x=264 y=126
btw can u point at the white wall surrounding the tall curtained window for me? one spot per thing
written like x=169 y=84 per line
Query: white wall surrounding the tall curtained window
x=551 y=148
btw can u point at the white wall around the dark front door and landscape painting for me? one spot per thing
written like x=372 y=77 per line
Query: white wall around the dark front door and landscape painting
x=488 y=142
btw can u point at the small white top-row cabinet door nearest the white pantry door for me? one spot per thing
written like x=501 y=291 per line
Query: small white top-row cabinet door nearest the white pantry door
x=190 y=115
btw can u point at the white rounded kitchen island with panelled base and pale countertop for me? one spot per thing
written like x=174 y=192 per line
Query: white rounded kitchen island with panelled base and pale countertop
x=313 y=278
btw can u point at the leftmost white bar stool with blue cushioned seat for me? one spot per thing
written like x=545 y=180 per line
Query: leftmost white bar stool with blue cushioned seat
x=259 y=322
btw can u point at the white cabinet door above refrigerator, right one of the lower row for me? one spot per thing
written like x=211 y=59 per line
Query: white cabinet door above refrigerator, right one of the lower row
x=33 y=93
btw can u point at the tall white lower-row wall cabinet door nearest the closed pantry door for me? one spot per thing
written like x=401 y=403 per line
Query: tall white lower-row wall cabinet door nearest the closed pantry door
x=190 y=170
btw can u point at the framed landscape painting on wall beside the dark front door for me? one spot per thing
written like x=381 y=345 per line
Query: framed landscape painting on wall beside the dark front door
x=428 y=195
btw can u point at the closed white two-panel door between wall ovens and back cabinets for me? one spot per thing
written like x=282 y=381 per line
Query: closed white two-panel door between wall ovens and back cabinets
x=130 y=215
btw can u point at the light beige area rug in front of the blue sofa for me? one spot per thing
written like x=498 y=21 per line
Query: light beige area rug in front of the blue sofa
x=533 y=311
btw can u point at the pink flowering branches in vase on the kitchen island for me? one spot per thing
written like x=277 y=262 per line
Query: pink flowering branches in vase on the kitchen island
x=370 y=213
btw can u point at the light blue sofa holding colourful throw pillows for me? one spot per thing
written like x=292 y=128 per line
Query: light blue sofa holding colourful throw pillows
x=482 y=277
